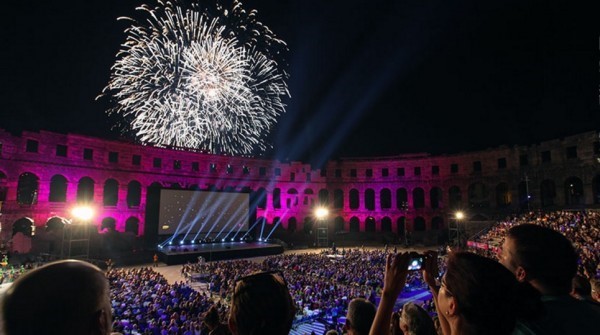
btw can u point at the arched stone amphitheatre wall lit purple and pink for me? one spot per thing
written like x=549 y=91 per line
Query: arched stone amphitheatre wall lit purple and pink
x=45 y=174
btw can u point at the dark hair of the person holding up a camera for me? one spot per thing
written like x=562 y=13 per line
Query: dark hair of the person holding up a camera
x=485 y=293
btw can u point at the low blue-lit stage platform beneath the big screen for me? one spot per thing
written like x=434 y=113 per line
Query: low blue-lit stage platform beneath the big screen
x=181 y=254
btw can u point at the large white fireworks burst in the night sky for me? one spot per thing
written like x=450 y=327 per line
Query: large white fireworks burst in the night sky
x=203 y=78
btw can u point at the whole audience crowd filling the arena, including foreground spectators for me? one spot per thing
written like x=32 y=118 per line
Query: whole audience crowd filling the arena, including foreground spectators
x=532 y=287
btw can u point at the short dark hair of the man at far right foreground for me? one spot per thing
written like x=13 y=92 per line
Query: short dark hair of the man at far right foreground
x=546 y=255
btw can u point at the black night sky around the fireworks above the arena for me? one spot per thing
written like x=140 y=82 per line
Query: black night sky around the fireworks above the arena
x=368 y=78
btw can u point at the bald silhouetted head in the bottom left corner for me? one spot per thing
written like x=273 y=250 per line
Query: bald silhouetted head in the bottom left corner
x=63 y=298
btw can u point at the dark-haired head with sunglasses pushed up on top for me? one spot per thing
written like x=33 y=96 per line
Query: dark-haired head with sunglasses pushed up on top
x=261 y=304
